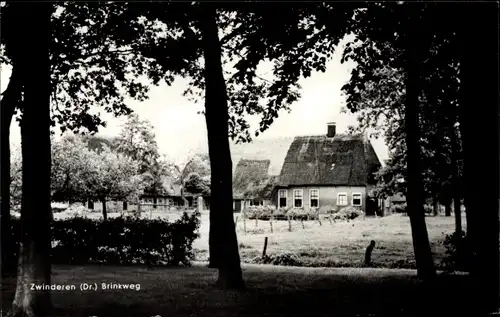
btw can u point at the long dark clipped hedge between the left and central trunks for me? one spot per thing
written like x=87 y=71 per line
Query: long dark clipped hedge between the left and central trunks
x=121 y=240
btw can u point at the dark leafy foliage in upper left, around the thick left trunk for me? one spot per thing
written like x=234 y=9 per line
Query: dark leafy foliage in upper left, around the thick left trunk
x=89 y=66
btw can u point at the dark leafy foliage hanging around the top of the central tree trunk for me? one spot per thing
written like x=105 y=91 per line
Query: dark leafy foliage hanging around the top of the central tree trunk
x=294 y=46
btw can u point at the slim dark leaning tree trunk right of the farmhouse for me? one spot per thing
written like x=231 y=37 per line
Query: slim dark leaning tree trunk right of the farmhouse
x=415 y=201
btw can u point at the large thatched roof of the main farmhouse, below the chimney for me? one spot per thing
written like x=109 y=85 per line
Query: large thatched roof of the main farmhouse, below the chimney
x=344 y=160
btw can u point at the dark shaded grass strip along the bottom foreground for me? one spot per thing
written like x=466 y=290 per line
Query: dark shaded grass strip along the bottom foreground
x=272 y=291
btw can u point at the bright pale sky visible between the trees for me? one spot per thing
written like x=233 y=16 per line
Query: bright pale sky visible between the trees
x=181 y=131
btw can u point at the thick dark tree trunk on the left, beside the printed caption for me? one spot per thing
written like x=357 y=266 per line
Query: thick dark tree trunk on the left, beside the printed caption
x=34 y=257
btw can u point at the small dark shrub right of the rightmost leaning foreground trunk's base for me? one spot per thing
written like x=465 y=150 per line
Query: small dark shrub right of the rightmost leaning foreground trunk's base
x=458 y=252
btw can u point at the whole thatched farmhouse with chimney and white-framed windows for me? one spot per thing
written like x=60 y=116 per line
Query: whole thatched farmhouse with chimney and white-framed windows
x=332 y=169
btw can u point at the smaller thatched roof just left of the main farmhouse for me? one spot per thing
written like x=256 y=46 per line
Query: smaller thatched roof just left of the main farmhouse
x=248 y=172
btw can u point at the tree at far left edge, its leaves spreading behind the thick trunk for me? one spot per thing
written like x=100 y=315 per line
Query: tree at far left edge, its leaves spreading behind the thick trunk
x=87 y=68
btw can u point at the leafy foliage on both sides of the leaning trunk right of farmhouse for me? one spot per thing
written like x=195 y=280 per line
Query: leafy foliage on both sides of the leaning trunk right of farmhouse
x=376 y=93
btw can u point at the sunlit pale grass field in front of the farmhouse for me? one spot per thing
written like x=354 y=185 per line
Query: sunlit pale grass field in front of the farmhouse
x=338 y=244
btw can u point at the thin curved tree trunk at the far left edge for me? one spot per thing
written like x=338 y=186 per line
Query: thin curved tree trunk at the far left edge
x=11 y=98
